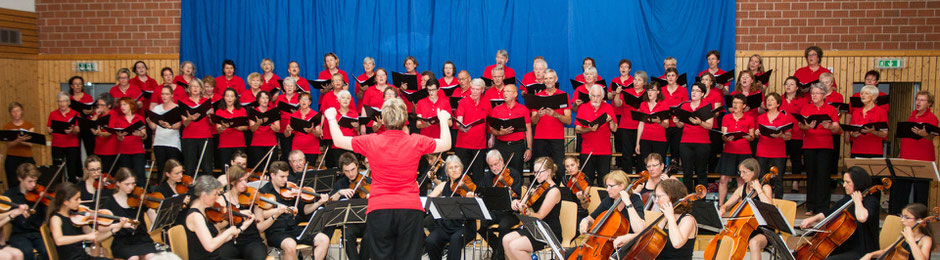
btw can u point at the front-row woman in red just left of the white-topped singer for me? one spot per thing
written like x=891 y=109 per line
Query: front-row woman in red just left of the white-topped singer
x=131 y=146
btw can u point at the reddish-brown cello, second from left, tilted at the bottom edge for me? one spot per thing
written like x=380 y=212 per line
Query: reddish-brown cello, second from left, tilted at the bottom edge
x=651 y=240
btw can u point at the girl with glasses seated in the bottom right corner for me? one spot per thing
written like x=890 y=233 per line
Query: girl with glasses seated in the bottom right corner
x=915 y=233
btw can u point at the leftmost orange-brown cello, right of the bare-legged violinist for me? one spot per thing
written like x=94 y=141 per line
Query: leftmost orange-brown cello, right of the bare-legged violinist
x=612 y=224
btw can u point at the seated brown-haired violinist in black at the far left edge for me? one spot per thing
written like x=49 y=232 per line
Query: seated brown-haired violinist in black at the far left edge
x=25 y=233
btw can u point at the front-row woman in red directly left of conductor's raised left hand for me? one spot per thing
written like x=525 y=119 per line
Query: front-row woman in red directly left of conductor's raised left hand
x=306 y=140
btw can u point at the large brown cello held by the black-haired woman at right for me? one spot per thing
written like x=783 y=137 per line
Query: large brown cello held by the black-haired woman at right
x=832 y=231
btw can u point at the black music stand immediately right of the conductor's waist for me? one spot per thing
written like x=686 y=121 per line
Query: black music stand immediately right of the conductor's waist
x=458 y=208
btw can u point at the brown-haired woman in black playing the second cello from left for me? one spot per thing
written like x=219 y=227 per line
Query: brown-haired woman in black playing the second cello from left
x=680 y=226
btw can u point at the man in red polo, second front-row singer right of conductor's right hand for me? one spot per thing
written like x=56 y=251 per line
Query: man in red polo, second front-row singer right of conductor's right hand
x=507 y=140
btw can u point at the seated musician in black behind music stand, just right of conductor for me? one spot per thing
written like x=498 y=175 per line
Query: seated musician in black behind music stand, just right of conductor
x=455 y=232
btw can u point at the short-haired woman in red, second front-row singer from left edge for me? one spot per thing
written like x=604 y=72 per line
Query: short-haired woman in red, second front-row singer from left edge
x=65 y=144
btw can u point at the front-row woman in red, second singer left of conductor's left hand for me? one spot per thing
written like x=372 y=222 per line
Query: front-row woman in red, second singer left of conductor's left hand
x=263 y=137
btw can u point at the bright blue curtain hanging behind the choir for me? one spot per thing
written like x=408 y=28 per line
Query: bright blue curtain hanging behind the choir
x=467 y=32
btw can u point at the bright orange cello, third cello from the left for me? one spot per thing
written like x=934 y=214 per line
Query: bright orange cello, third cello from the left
x=741 y=223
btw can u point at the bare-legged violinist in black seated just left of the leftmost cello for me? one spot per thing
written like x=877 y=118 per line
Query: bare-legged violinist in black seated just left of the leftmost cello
x=520 y=244
